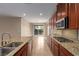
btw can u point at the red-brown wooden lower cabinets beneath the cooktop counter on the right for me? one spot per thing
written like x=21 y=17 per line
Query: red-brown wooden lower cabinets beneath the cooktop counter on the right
x=58 y=50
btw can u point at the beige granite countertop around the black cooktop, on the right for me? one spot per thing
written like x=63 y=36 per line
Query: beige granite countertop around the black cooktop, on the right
x=72 y=47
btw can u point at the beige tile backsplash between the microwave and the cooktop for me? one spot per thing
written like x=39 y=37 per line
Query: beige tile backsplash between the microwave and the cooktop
x=68 y=33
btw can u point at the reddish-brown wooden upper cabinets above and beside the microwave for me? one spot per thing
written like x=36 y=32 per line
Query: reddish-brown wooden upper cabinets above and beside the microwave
x=70 y=10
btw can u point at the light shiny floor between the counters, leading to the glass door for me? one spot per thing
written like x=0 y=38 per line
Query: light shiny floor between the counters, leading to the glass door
x=40 y=47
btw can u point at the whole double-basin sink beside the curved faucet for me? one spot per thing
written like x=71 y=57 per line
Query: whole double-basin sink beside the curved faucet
x=8 y=48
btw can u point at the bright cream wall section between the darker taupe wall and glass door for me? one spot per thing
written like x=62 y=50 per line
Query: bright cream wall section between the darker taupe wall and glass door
x=25 y=28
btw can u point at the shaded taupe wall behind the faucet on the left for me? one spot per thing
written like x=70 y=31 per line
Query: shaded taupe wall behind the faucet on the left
x=11 y=25
